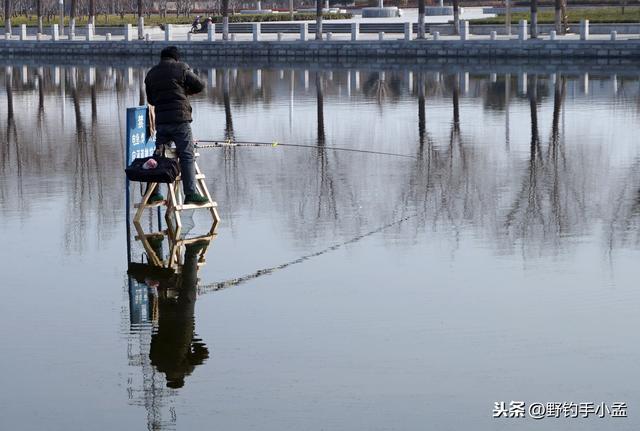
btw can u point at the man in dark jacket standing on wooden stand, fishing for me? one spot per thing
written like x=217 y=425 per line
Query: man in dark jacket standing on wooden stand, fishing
x=168 y=85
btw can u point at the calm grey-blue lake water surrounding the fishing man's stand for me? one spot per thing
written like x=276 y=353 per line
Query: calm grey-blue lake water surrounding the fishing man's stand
x=344 y=290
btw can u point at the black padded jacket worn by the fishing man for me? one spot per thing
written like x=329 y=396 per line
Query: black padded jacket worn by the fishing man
x=168 y=84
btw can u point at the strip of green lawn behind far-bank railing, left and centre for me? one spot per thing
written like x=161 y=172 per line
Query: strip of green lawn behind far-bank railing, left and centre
x=116 y=20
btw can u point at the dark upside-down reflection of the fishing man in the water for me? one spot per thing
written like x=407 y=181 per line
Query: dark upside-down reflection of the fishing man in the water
x=175 y=350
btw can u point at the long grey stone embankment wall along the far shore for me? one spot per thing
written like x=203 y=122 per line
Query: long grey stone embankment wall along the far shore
x=417 y=49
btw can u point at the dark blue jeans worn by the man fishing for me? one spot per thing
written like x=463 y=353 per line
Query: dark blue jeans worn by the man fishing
x=180 y=134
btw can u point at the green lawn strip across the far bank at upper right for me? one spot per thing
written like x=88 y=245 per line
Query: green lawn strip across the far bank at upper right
x=594 y=15
